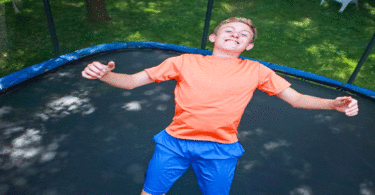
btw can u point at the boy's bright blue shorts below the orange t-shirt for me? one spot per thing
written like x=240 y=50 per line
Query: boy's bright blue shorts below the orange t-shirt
x=213 y=164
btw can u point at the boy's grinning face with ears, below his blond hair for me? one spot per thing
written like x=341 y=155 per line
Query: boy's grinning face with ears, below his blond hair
x=233 y=37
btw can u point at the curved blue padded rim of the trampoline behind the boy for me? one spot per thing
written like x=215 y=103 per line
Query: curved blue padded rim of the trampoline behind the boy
x=37 y=69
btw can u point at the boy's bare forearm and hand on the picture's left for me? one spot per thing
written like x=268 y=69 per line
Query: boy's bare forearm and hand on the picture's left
x=96 y=70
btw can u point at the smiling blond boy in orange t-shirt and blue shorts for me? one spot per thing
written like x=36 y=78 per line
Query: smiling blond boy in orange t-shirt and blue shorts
x=211 y=95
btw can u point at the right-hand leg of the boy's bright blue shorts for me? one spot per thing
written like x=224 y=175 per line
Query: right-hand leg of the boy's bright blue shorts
x=215 y=176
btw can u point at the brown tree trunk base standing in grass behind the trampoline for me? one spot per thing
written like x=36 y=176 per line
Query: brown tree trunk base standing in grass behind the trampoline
x=97 y=10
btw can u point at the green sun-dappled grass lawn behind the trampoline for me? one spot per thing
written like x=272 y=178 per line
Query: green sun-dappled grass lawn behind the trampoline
x=295 y=33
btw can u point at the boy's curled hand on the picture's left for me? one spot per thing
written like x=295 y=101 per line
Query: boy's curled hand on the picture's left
x=97 y=70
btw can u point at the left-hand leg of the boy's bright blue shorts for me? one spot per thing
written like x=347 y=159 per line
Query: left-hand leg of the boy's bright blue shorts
x=164 y=169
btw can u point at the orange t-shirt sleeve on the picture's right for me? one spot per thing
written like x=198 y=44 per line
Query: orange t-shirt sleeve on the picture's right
x=270 y=82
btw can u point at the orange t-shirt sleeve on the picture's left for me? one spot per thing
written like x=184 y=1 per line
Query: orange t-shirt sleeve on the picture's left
x=167 y=70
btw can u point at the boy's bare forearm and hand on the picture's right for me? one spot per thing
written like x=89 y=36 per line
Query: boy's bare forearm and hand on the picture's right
x=346 y=104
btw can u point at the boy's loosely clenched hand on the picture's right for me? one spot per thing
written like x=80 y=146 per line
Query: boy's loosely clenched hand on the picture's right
x=348 y=105
